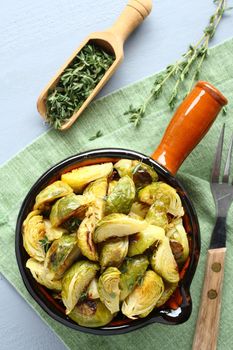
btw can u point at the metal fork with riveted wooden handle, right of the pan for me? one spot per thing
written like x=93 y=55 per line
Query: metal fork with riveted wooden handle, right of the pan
x=206 y=333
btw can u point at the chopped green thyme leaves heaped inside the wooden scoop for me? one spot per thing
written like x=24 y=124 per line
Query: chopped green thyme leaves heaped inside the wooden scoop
x=76 y=83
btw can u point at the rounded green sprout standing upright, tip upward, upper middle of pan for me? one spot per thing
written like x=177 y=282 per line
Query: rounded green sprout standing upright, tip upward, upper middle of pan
x=121 y=198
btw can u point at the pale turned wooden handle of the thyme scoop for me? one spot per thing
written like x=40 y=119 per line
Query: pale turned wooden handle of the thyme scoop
x=132 y=15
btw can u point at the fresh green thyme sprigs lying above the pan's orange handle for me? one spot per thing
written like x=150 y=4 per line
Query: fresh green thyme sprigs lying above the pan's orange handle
x=188 y=65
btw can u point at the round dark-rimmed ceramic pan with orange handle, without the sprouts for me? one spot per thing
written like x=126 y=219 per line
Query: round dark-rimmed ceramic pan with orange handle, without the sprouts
x=189 y=124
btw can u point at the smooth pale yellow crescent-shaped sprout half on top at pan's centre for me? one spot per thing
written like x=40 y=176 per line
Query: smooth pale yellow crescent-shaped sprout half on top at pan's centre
x=117 y=225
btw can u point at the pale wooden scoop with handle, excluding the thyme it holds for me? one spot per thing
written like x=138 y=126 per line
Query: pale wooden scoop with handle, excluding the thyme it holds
x=112 y=40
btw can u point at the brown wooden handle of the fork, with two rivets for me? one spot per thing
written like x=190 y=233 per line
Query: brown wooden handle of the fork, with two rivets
x=206 y=333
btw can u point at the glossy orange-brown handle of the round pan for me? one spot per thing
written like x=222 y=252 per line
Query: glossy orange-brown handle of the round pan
x=189 y=125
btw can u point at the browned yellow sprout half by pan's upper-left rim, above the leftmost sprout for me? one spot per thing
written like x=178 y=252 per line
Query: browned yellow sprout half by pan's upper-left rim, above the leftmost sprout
x=56 y=190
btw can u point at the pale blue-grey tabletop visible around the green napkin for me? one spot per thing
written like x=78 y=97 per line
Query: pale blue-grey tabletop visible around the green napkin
x=36 y=37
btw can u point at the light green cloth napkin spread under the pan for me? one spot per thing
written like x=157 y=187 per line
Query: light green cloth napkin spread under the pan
x=106 y=114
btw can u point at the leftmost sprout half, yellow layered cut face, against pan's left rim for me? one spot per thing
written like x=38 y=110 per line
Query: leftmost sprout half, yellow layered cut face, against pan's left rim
x=33 y=235
